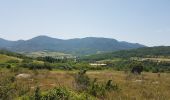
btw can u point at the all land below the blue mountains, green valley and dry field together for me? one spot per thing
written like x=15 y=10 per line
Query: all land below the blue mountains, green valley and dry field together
x=49 y=78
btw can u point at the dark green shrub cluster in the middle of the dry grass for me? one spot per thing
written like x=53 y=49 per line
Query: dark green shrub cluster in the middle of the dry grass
x=93 y=87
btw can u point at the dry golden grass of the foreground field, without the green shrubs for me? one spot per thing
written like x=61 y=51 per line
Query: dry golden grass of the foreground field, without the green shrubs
x=148 y=86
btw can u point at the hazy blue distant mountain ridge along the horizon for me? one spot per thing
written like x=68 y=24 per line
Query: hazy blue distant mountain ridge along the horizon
x=83 y=46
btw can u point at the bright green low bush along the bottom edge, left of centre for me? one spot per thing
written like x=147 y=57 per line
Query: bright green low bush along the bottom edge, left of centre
x=60 y=93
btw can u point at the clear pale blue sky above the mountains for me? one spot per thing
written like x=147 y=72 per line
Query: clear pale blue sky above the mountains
x=139 y=21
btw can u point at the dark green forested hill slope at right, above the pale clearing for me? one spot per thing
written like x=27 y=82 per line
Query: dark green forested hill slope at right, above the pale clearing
x=140 y=52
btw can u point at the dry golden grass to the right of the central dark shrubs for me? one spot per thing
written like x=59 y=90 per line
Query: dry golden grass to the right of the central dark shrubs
x=147 y=86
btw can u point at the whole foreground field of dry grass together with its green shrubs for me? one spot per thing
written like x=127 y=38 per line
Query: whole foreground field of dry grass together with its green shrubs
x=64 y=85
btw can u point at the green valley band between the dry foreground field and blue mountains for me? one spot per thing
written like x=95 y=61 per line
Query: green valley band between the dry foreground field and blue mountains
x=157 y=64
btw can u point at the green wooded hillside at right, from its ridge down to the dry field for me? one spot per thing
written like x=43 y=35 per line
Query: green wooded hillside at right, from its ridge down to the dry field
x=153 y=59
